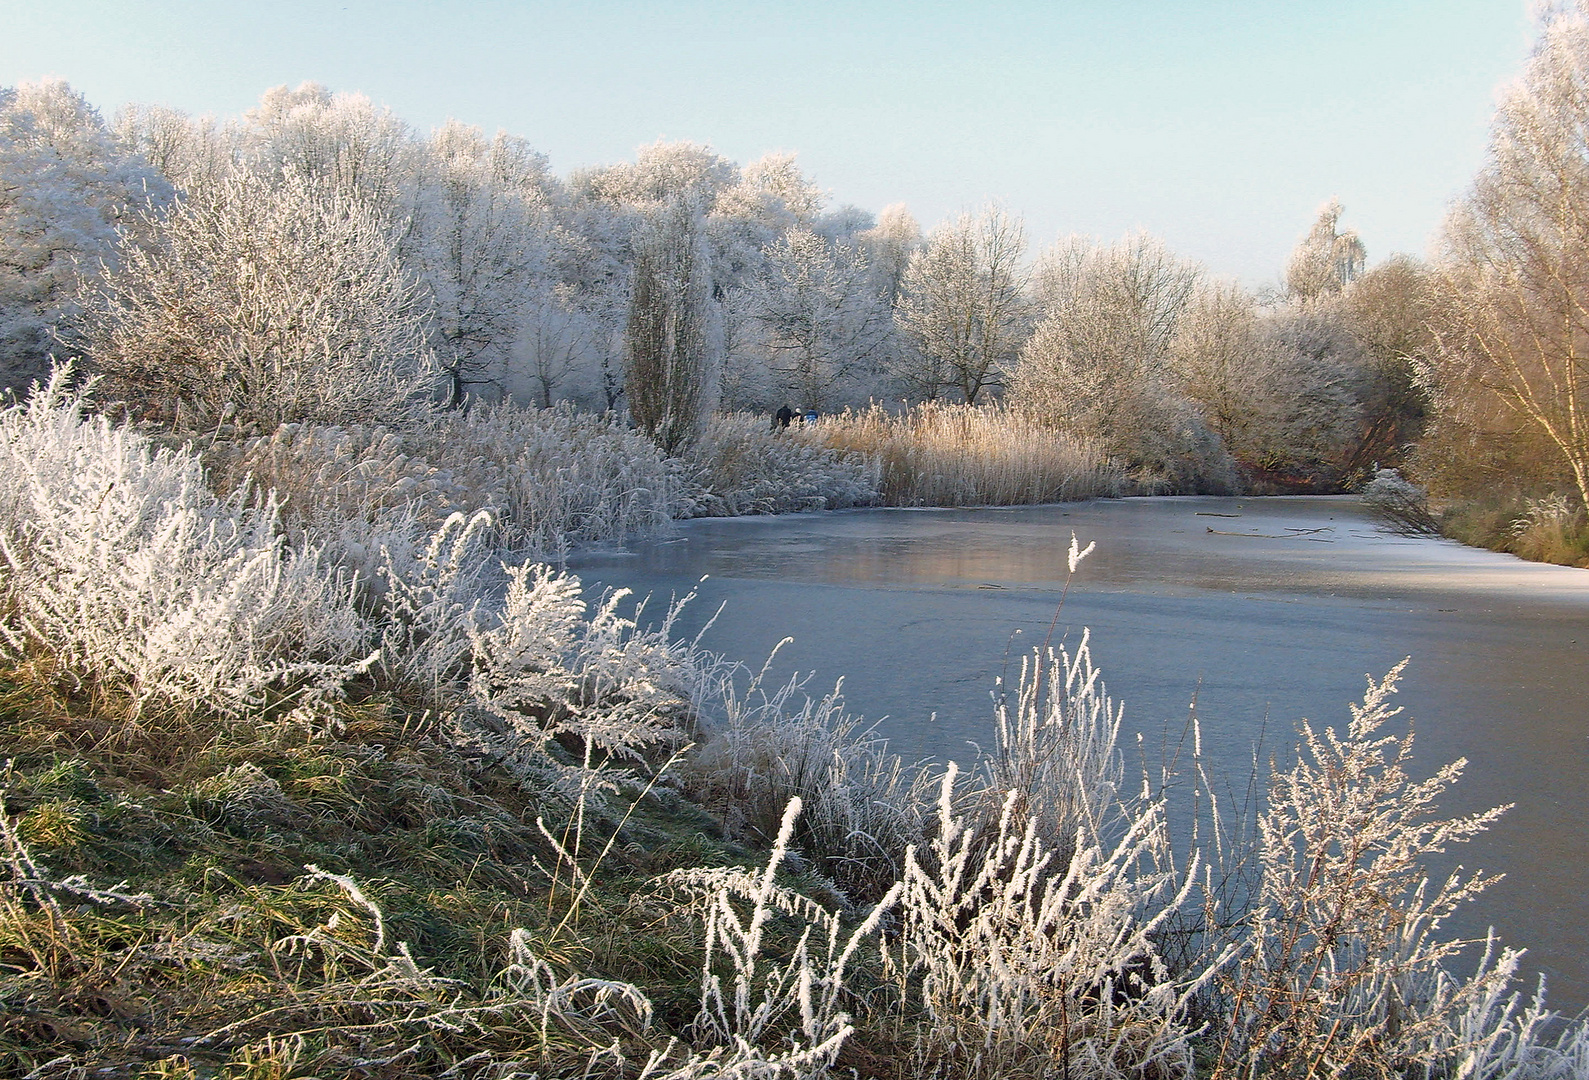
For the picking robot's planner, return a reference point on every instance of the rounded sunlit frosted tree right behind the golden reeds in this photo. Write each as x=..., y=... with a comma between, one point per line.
x=964, y=307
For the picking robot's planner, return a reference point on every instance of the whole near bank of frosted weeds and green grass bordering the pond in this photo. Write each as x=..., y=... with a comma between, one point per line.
x=276, y=812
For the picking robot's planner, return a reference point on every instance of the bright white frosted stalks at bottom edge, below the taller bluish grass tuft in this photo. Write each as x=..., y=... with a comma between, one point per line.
x=1024, y=958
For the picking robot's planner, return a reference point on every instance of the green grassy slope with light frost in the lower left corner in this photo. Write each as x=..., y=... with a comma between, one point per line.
x=241, y=963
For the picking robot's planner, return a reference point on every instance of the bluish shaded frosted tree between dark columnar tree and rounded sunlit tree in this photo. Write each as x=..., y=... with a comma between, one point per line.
x=819, y=317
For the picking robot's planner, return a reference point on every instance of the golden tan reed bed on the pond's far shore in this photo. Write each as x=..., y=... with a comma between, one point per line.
x=964, y=457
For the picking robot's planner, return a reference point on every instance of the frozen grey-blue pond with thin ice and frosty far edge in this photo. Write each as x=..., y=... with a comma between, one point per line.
x=1267, y=611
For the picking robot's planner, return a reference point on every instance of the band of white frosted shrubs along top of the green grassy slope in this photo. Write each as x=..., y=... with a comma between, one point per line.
x=126, y=571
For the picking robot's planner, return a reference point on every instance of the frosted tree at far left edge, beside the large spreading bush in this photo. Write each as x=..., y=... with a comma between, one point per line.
x=66, y=188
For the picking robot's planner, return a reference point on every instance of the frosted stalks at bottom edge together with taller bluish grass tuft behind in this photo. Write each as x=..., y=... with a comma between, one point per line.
x=1030, y=917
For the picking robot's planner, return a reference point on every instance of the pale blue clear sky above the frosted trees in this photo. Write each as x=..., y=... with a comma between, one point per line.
x=1220, y=126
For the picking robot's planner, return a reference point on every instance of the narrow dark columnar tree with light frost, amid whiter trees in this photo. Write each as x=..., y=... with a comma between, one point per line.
x=667, y=337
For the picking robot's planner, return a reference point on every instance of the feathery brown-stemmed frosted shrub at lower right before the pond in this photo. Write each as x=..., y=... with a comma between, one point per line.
x=1343, y=965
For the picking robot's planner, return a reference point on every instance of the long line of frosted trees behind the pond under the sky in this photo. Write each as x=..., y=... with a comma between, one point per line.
x=320, y=261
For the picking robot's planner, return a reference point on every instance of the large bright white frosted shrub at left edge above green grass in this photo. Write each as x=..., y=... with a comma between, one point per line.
x=125, y=568
